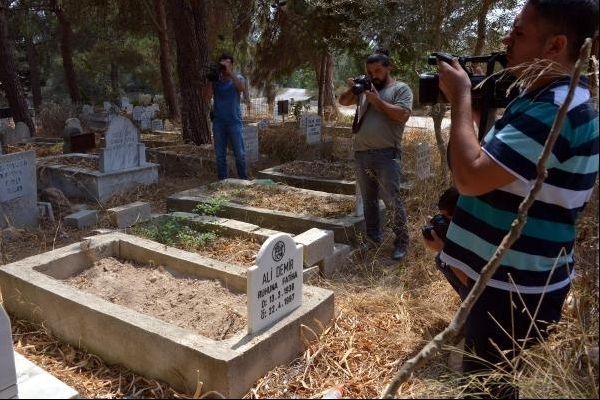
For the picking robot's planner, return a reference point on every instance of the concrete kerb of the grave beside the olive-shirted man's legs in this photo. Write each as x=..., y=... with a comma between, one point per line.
x=345, y=228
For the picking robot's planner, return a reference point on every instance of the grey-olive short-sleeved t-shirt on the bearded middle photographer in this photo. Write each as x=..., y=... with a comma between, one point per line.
x=377, y=130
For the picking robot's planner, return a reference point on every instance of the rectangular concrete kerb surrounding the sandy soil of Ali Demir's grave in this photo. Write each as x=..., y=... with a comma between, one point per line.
x=32, y=290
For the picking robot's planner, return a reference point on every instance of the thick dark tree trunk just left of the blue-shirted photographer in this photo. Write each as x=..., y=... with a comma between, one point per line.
x=189, y=21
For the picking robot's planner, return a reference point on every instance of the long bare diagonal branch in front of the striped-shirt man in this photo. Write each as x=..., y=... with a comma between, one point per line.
x=513, y=234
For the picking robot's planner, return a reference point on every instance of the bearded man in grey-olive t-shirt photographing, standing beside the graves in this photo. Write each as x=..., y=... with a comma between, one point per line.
x=383, y=111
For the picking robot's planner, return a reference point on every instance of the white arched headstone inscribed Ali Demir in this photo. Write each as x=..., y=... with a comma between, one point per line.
x=274, y=287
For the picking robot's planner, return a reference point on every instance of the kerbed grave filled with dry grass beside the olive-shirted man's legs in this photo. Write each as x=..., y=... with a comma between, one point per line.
x=278, y=207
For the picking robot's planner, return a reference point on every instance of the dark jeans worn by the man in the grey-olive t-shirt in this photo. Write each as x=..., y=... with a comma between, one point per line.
x=378, y=175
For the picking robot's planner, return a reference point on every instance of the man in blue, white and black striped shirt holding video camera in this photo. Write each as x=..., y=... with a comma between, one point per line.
x=495, y=176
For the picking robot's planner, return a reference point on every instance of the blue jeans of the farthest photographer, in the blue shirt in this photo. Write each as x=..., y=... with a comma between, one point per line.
x=229, y=133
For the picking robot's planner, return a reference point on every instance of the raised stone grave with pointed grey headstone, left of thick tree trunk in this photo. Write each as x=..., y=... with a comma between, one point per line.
x=118, y=167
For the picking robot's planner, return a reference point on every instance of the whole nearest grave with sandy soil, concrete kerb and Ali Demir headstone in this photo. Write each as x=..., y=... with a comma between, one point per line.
x=86, y=295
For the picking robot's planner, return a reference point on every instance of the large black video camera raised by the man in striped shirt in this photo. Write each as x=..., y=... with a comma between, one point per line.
x=493, y=93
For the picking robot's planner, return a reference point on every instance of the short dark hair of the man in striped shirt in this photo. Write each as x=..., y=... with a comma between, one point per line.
x=577, y=19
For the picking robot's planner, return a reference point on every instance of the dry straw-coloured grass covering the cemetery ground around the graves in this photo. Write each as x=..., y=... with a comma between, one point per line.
x=384, y=313
